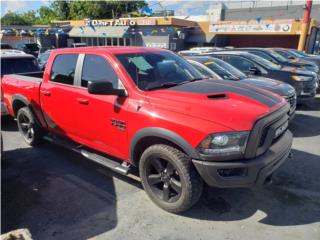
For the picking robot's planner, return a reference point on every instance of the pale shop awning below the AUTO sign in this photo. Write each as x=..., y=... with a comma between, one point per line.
x=105, y=31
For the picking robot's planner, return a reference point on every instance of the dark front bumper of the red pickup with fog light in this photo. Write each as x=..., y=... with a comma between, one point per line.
x=248, y=173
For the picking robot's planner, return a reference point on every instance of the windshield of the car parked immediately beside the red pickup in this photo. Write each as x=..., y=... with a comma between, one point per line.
x=224, y=70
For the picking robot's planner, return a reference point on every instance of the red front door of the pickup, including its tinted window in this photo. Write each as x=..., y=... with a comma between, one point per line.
x=102, y=119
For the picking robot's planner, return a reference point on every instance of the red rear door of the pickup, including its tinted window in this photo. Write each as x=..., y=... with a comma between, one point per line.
x=58, y=96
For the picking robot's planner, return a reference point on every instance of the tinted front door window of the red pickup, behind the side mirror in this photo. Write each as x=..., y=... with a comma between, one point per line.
x=97, y=69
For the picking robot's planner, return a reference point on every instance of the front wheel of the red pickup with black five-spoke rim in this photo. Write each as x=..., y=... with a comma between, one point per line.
x=169, y=178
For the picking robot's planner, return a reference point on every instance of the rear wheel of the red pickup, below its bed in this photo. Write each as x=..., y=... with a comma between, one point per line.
x=28, y=127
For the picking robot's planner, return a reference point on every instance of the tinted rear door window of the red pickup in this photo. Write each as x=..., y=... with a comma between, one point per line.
x=63, y=69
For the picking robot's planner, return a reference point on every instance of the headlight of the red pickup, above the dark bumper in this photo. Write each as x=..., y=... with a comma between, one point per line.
x=224, y=144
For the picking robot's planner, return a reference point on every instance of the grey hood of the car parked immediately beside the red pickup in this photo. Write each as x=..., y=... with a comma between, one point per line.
x=278, y=87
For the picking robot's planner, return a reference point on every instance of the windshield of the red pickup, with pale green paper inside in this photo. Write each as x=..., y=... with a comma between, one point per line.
x=152, y=70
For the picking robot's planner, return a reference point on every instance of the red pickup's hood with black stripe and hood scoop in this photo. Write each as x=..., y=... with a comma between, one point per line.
x=231, y=104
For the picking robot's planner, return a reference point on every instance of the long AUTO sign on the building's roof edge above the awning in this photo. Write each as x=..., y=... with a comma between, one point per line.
x=120, y=22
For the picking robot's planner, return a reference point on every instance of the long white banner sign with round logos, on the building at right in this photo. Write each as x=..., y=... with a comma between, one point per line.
x=250, y=28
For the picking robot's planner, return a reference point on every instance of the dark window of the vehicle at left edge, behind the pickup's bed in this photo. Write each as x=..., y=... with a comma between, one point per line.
x=18, y=65
